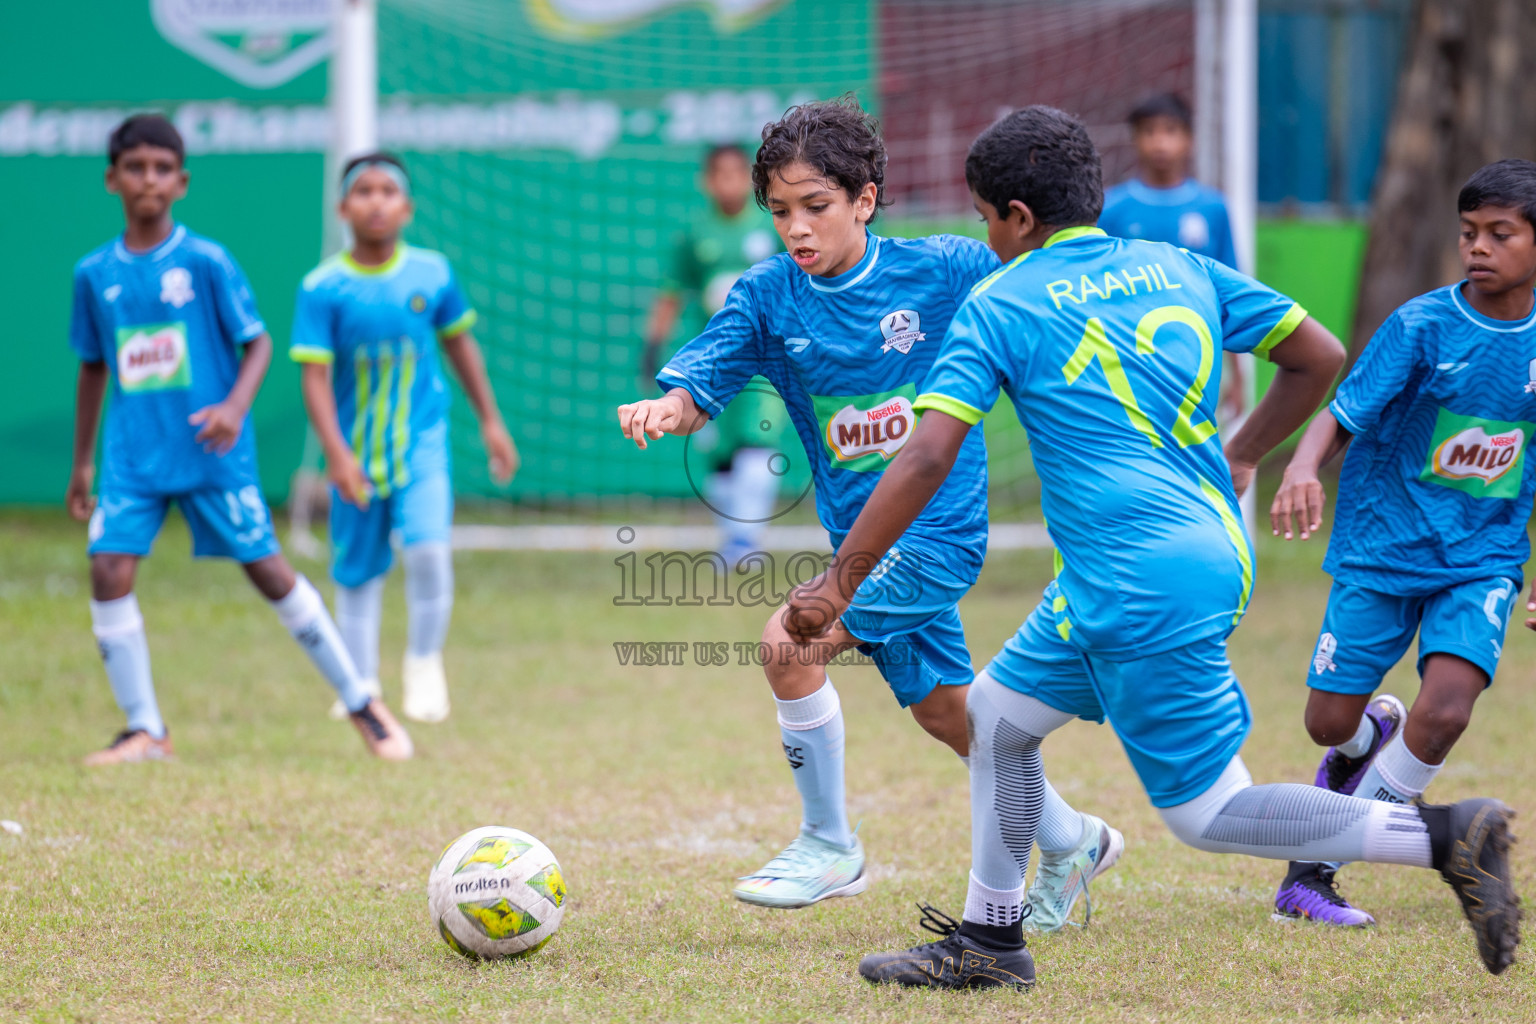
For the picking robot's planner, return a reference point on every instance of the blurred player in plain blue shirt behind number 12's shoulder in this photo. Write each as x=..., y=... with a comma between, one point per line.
x=1165, y=203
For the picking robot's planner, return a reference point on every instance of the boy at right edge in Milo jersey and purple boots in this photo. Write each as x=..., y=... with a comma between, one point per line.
x=1434, y=506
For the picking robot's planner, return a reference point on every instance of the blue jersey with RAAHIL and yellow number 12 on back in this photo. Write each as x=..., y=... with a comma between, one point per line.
x=1110, y=352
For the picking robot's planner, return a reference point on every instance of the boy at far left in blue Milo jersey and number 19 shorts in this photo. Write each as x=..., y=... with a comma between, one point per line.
x=168, y=320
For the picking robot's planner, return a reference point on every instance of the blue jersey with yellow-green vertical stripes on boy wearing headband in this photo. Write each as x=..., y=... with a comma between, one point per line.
x=379, y=328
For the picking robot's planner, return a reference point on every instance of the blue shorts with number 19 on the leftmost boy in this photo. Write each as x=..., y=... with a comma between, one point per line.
x=233, y=524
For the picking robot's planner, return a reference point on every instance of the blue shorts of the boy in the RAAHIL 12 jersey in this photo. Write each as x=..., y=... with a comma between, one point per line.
x=1180, y=715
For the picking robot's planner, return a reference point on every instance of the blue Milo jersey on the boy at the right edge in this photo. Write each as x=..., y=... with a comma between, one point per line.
x=1437, y=489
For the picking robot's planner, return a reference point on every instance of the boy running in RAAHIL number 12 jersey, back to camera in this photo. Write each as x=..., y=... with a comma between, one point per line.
x=1108, y=351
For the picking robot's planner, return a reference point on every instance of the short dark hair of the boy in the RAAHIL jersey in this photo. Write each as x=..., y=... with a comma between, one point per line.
x=1044, y=159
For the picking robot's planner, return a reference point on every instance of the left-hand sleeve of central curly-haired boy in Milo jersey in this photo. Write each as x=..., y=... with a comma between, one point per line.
x=720, y=363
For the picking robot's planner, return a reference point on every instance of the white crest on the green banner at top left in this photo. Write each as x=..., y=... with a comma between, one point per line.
x=259, y=44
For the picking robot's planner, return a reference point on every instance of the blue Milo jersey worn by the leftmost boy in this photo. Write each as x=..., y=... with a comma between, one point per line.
x=171, y=323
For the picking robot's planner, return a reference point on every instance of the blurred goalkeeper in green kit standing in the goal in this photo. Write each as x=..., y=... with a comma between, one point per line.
x=717, y=249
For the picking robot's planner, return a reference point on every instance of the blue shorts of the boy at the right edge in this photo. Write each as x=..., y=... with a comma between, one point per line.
x=1365, y=632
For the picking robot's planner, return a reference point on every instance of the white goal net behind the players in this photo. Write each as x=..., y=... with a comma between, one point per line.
x=555, y=150
